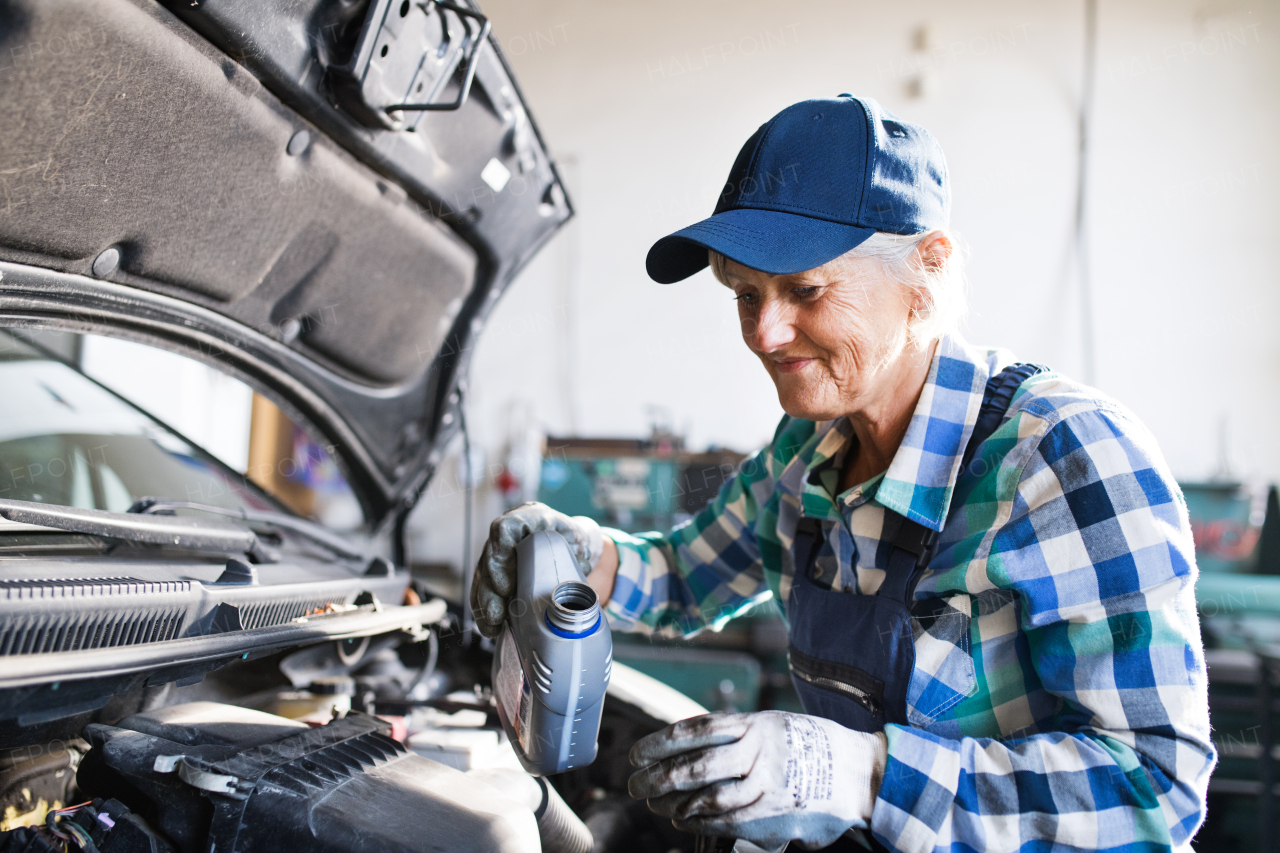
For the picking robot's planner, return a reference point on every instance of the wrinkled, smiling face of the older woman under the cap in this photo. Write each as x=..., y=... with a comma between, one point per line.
x=833, y=339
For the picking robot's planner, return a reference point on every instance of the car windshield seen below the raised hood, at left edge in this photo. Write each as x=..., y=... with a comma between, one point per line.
x=66, y=440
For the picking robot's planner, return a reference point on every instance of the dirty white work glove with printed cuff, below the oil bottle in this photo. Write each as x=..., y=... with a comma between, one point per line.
x=767, y=778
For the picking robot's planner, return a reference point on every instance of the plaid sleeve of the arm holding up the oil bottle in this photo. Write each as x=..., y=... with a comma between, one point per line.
x=710, y=569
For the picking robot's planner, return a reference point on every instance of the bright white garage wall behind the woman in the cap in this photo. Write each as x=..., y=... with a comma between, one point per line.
x=648, y=103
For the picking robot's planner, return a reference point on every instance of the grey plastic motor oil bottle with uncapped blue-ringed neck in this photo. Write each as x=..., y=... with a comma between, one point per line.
x=554, y=660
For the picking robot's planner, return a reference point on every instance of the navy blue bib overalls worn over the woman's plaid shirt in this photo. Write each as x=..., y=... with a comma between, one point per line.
x=852, y=656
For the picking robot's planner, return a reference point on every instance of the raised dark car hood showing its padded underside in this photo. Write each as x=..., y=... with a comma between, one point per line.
x=225, y=180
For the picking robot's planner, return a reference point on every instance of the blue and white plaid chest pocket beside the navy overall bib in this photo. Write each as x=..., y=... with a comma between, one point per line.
x=944, y=673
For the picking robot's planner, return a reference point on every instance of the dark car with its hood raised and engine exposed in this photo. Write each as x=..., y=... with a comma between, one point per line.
x=323, y=199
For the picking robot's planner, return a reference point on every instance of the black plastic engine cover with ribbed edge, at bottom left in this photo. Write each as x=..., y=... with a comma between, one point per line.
x=221, y=778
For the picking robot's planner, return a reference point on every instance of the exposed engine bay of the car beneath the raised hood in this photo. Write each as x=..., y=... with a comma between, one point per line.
x=383, y=743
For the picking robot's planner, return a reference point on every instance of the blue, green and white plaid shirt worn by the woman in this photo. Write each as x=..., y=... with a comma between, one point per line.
x=1060, y=699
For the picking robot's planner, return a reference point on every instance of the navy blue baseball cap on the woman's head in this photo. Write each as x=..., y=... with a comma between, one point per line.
x=816, y=181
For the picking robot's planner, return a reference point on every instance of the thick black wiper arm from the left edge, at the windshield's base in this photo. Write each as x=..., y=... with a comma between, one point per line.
x=191, y=535
